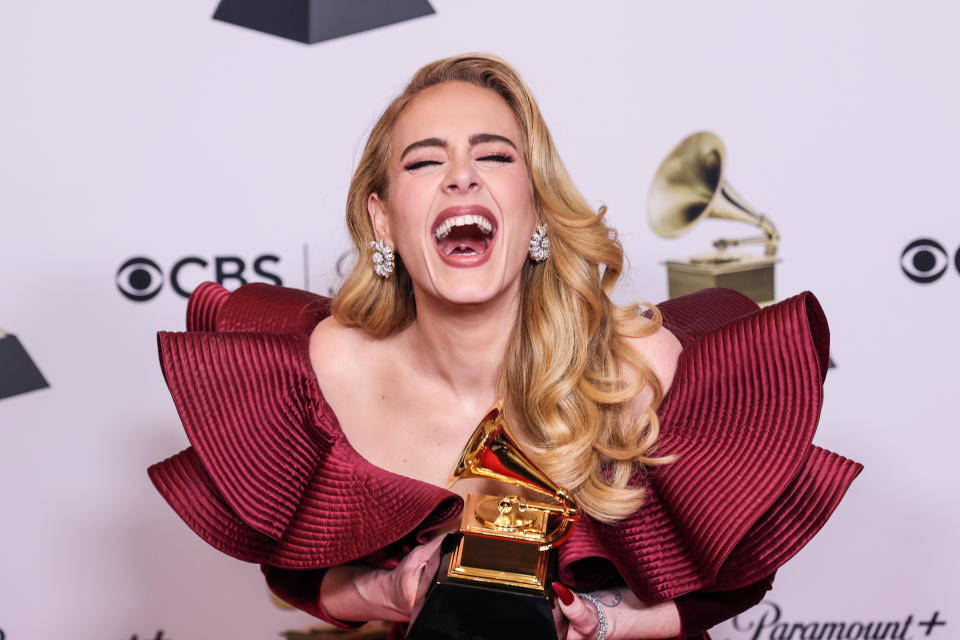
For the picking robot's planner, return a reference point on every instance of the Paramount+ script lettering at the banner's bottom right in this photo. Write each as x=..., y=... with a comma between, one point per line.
x=766, y=622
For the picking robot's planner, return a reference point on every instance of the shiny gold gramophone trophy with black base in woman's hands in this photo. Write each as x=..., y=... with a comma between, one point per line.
x=493, y=576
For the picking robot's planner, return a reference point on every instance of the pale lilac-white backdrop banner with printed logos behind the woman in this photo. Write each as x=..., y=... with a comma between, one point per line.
x=147, y=147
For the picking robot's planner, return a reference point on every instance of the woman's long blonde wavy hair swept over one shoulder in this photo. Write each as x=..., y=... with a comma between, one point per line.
x=562, y=377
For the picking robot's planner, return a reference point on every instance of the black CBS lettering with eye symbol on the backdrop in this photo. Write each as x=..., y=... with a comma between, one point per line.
x=140, y=279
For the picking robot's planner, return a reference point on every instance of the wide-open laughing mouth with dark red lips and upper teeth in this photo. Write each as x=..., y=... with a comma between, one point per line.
x=463, y=235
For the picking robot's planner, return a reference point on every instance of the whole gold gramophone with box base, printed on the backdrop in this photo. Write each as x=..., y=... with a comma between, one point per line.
x=690, y=185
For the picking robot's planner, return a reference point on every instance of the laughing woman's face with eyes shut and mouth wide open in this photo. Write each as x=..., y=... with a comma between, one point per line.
x=460, y=208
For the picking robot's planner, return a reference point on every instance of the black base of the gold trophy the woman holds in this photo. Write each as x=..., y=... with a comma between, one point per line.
x=455, y=610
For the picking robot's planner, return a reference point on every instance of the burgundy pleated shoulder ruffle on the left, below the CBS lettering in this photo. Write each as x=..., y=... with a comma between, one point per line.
x=269, y=476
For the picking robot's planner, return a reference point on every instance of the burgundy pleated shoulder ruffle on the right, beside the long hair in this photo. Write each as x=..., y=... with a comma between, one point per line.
x=748, y=489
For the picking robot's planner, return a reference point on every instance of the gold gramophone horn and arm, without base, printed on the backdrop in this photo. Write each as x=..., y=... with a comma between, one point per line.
x=690, y=185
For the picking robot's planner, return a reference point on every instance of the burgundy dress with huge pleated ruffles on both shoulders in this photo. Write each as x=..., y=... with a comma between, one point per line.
x=270, y=477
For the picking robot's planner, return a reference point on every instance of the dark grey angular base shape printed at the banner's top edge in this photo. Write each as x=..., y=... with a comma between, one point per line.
x=313, y=21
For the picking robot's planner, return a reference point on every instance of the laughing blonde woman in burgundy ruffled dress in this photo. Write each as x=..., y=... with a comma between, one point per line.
x=485, y=276
